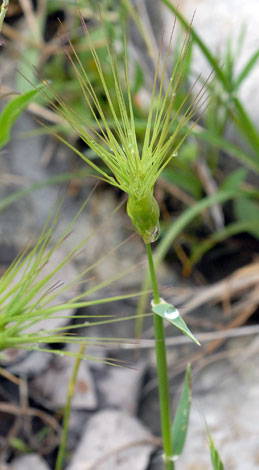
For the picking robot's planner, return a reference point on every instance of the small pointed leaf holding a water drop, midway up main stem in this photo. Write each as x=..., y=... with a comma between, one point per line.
x=171, y=314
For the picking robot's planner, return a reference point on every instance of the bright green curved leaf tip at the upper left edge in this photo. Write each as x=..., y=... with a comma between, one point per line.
x=11, y=112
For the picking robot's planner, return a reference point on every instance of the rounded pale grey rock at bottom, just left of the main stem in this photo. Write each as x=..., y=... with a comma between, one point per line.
x=113, y=440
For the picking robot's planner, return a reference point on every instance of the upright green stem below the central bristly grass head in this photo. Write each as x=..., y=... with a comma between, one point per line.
x=161, y=370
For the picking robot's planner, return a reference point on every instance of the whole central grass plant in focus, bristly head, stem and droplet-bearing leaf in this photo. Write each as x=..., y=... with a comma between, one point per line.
x=133, y=167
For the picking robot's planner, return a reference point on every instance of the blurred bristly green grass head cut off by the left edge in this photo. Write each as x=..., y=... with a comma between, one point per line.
x=27, y=297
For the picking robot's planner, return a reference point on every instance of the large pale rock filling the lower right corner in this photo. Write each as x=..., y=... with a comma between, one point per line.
x=231, y=412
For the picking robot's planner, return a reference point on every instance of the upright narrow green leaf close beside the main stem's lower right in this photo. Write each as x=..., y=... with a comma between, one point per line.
x=181, y=419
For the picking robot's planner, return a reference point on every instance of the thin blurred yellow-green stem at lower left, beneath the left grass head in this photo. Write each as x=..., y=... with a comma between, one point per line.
x=70, y=393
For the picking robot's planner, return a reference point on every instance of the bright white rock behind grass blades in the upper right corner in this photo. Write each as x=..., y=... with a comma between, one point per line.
x=218, y=22
